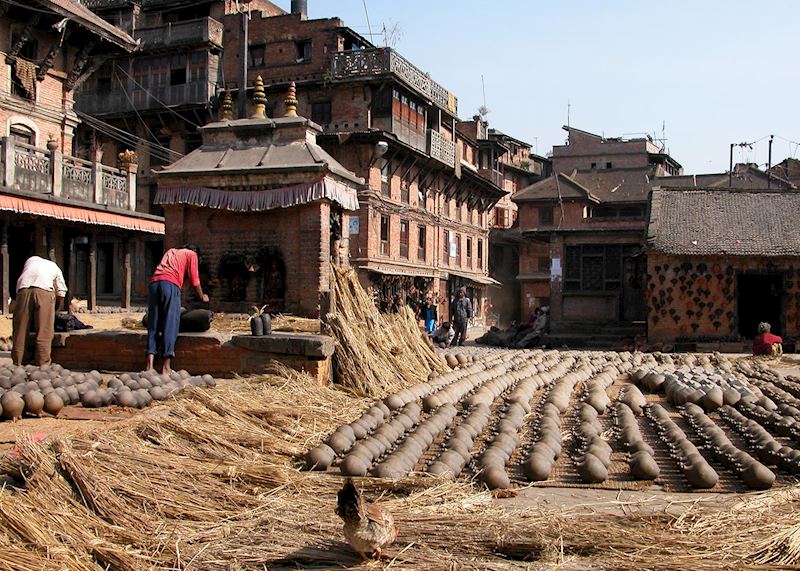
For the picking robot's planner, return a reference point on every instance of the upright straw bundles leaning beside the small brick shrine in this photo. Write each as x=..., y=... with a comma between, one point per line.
x=376, y=354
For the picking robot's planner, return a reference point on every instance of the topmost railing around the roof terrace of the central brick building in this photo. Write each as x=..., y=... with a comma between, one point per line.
x=379, y=61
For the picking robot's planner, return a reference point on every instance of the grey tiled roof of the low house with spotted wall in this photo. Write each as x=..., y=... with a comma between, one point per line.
x=724, y=222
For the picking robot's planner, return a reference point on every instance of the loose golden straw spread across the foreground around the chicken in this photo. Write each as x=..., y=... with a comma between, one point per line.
x=211, y=483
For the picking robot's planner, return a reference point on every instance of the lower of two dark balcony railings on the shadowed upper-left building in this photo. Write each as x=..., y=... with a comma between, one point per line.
x=116, y=101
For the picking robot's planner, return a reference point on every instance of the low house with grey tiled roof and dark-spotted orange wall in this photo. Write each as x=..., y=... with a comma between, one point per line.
x=719, y=262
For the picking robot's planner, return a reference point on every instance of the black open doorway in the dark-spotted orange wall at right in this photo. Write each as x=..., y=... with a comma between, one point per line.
x=759, y=298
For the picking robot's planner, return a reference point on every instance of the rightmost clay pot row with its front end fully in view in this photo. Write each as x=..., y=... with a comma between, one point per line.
x=752, y=472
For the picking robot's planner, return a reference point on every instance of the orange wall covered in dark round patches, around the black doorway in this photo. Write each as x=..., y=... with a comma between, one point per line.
x=696, y=298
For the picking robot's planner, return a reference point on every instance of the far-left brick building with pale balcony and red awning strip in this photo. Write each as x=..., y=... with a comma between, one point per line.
x=79, y=213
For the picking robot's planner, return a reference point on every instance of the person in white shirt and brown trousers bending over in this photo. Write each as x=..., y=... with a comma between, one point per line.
x=40, y=292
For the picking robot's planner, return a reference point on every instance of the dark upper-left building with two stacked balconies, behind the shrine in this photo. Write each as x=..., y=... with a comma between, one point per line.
x=158, y=97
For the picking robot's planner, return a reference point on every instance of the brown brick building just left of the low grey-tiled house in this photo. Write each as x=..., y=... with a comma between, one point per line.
x=584, y=227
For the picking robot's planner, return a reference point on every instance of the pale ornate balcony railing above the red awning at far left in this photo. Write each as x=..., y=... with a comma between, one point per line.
x=29, y=169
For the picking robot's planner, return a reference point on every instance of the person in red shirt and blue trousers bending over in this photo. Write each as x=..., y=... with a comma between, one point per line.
x=164, y=301
